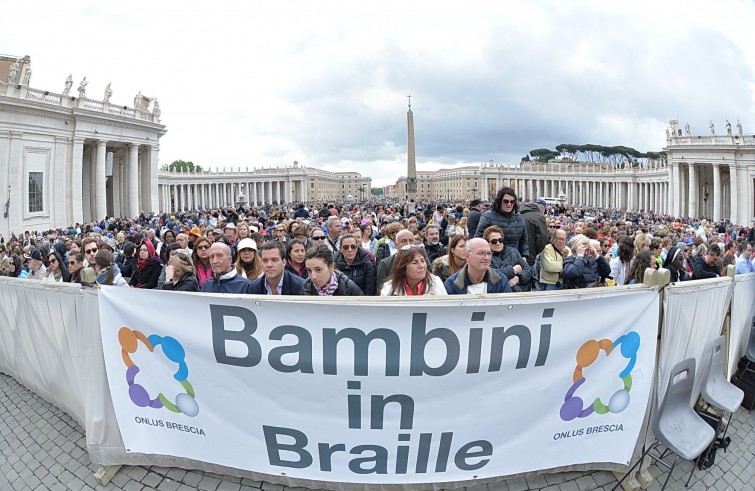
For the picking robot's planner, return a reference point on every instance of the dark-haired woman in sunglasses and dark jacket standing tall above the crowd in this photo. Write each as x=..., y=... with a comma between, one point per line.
x=505, y=213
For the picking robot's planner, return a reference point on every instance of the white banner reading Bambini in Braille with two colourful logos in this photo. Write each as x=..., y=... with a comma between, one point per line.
x=381, y=390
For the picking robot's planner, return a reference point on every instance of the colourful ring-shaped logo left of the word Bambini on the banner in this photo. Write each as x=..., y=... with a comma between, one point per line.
x=185, y=402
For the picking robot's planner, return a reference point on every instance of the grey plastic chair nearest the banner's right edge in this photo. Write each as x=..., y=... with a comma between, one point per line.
x=676, y=425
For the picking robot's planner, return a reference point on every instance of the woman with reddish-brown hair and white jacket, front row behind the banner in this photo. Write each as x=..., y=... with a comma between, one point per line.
x=410, y=275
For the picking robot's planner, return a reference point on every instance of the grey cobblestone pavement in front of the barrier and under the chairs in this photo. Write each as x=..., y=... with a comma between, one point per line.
x=42, y=448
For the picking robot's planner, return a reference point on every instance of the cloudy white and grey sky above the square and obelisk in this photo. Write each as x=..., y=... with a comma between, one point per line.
x=325, y=83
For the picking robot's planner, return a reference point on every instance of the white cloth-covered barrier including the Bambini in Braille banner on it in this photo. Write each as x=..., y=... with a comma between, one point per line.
x=504, y=422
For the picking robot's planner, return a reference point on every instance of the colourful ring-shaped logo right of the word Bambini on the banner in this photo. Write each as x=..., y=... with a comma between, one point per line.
x=573, y=406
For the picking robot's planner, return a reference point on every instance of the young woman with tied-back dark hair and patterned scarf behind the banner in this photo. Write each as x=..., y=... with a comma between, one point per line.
x=323, y=279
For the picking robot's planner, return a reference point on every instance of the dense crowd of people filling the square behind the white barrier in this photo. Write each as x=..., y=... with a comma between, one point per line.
x=370, y=248
